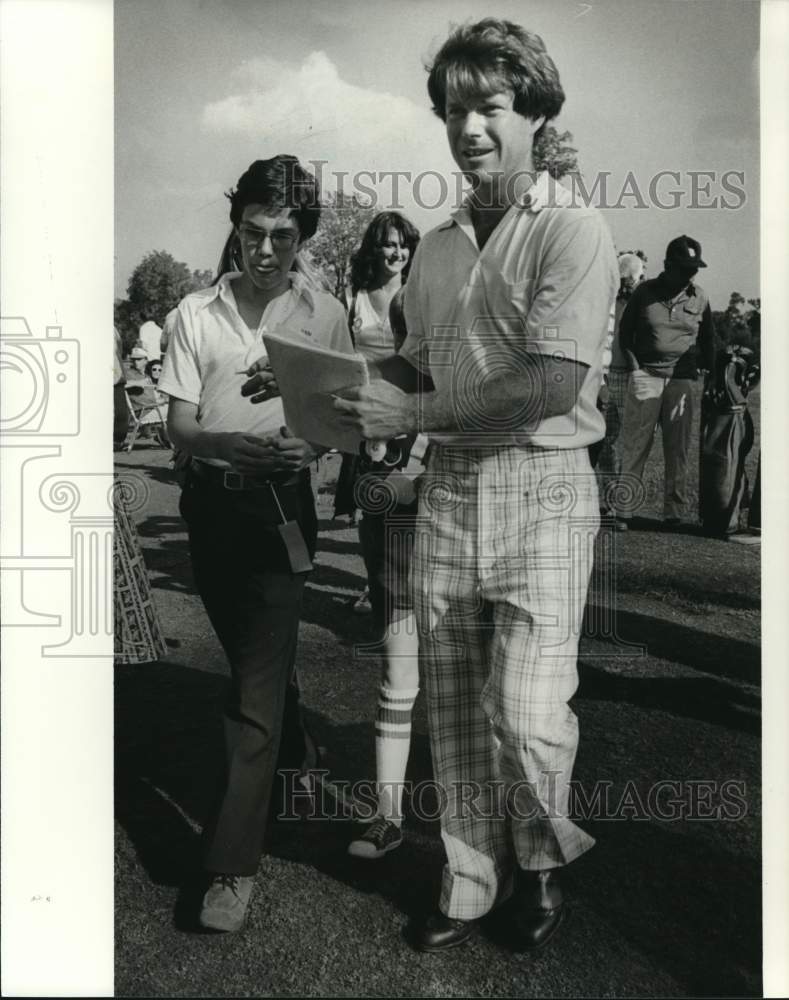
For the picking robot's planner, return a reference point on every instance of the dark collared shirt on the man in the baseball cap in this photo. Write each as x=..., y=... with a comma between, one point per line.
x=670, y=337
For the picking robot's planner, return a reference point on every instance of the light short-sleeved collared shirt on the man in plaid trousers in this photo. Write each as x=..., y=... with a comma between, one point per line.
x=544, y=283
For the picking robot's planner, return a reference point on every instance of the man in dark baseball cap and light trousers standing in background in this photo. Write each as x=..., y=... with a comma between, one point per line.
x=667, y=335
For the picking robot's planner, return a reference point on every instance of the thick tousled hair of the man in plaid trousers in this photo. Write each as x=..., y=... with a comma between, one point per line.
x=496, y=54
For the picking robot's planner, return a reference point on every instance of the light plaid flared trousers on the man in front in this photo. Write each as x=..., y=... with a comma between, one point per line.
x=503, y=555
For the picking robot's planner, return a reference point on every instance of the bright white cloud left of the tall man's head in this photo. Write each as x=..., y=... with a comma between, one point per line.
x=309, y=110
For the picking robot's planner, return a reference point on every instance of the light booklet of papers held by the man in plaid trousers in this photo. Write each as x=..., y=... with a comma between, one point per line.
x=307, y=377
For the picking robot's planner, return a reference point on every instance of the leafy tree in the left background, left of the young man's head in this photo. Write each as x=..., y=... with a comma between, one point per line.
x=157, y=285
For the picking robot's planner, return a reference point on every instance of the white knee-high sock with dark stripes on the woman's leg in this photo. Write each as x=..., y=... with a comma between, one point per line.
x=392, y=744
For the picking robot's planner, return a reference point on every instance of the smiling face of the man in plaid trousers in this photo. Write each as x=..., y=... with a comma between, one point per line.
x=488, y=139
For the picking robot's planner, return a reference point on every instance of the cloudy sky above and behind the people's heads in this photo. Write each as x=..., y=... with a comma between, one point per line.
x=662, y=101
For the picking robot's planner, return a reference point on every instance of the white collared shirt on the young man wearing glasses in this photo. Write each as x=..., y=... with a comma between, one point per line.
x=211, y=344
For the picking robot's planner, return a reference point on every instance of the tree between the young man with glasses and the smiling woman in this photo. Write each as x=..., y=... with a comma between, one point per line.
x=344, y=219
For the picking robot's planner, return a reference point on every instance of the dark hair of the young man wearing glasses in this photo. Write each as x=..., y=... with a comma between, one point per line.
x=280, y=182
